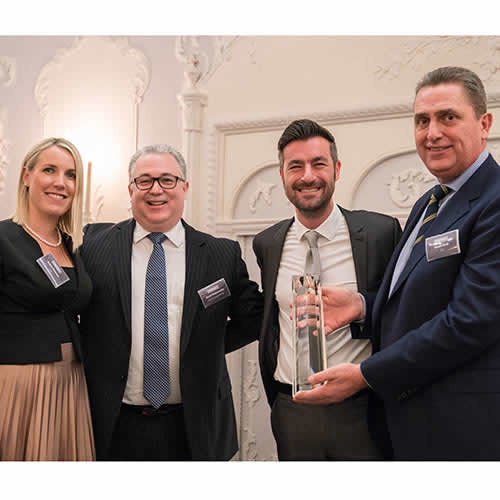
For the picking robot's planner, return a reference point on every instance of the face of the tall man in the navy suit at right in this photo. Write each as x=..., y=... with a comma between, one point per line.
x=448, y=134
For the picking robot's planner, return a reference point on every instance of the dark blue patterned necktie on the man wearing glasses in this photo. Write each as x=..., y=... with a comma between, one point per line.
x=156, y=365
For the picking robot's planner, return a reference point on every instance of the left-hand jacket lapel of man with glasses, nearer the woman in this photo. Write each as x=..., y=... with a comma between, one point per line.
x=121, y=249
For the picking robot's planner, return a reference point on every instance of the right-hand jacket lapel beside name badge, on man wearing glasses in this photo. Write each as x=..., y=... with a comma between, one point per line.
x=196, y=264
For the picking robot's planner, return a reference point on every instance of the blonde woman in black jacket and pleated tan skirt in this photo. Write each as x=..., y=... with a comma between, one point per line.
x=44, y=410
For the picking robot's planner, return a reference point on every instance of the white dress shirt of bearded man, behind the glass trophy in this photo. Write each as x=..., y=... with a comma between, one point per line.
x=337, y=268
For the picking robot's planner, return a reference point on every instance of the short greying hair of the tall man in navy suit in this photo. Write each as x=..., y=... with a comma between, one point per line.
x=472, y=84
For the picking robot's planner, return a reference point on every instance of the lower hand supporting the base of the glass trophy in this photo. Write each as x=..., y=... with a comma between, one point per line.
x=342, y=381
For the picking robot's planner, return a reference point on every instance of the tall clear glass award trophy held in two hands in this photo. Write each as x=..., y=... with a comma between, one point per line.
x=308, y=330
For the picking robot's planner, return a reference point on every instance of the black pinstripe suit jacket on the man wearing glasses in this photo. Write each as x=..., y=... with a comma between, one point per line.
x=206, y=334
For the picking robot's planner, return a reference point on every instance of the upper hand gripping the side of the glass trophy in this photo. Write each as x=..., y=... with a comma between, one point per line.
x=341, y=307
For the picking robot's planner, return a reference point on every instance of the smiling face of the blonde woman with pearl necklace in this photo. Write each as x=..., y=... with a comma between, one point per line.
x=51, y=183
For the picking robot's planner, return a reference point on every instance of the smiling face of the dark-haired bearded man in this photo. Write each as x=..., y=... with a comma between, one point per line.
x=309, y=176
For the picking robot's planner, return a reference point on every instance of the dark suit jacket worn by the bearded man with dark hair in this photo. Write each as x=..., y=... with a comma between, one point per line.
x=373, y=238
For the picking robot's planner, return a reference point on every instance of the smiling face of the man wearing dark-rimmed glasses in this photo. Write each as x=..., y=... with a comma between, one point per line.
x=157, y=209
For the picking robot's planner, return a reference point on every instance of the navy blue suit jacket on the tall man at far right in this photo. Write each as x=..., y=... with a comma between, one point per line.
x=438, y=369
